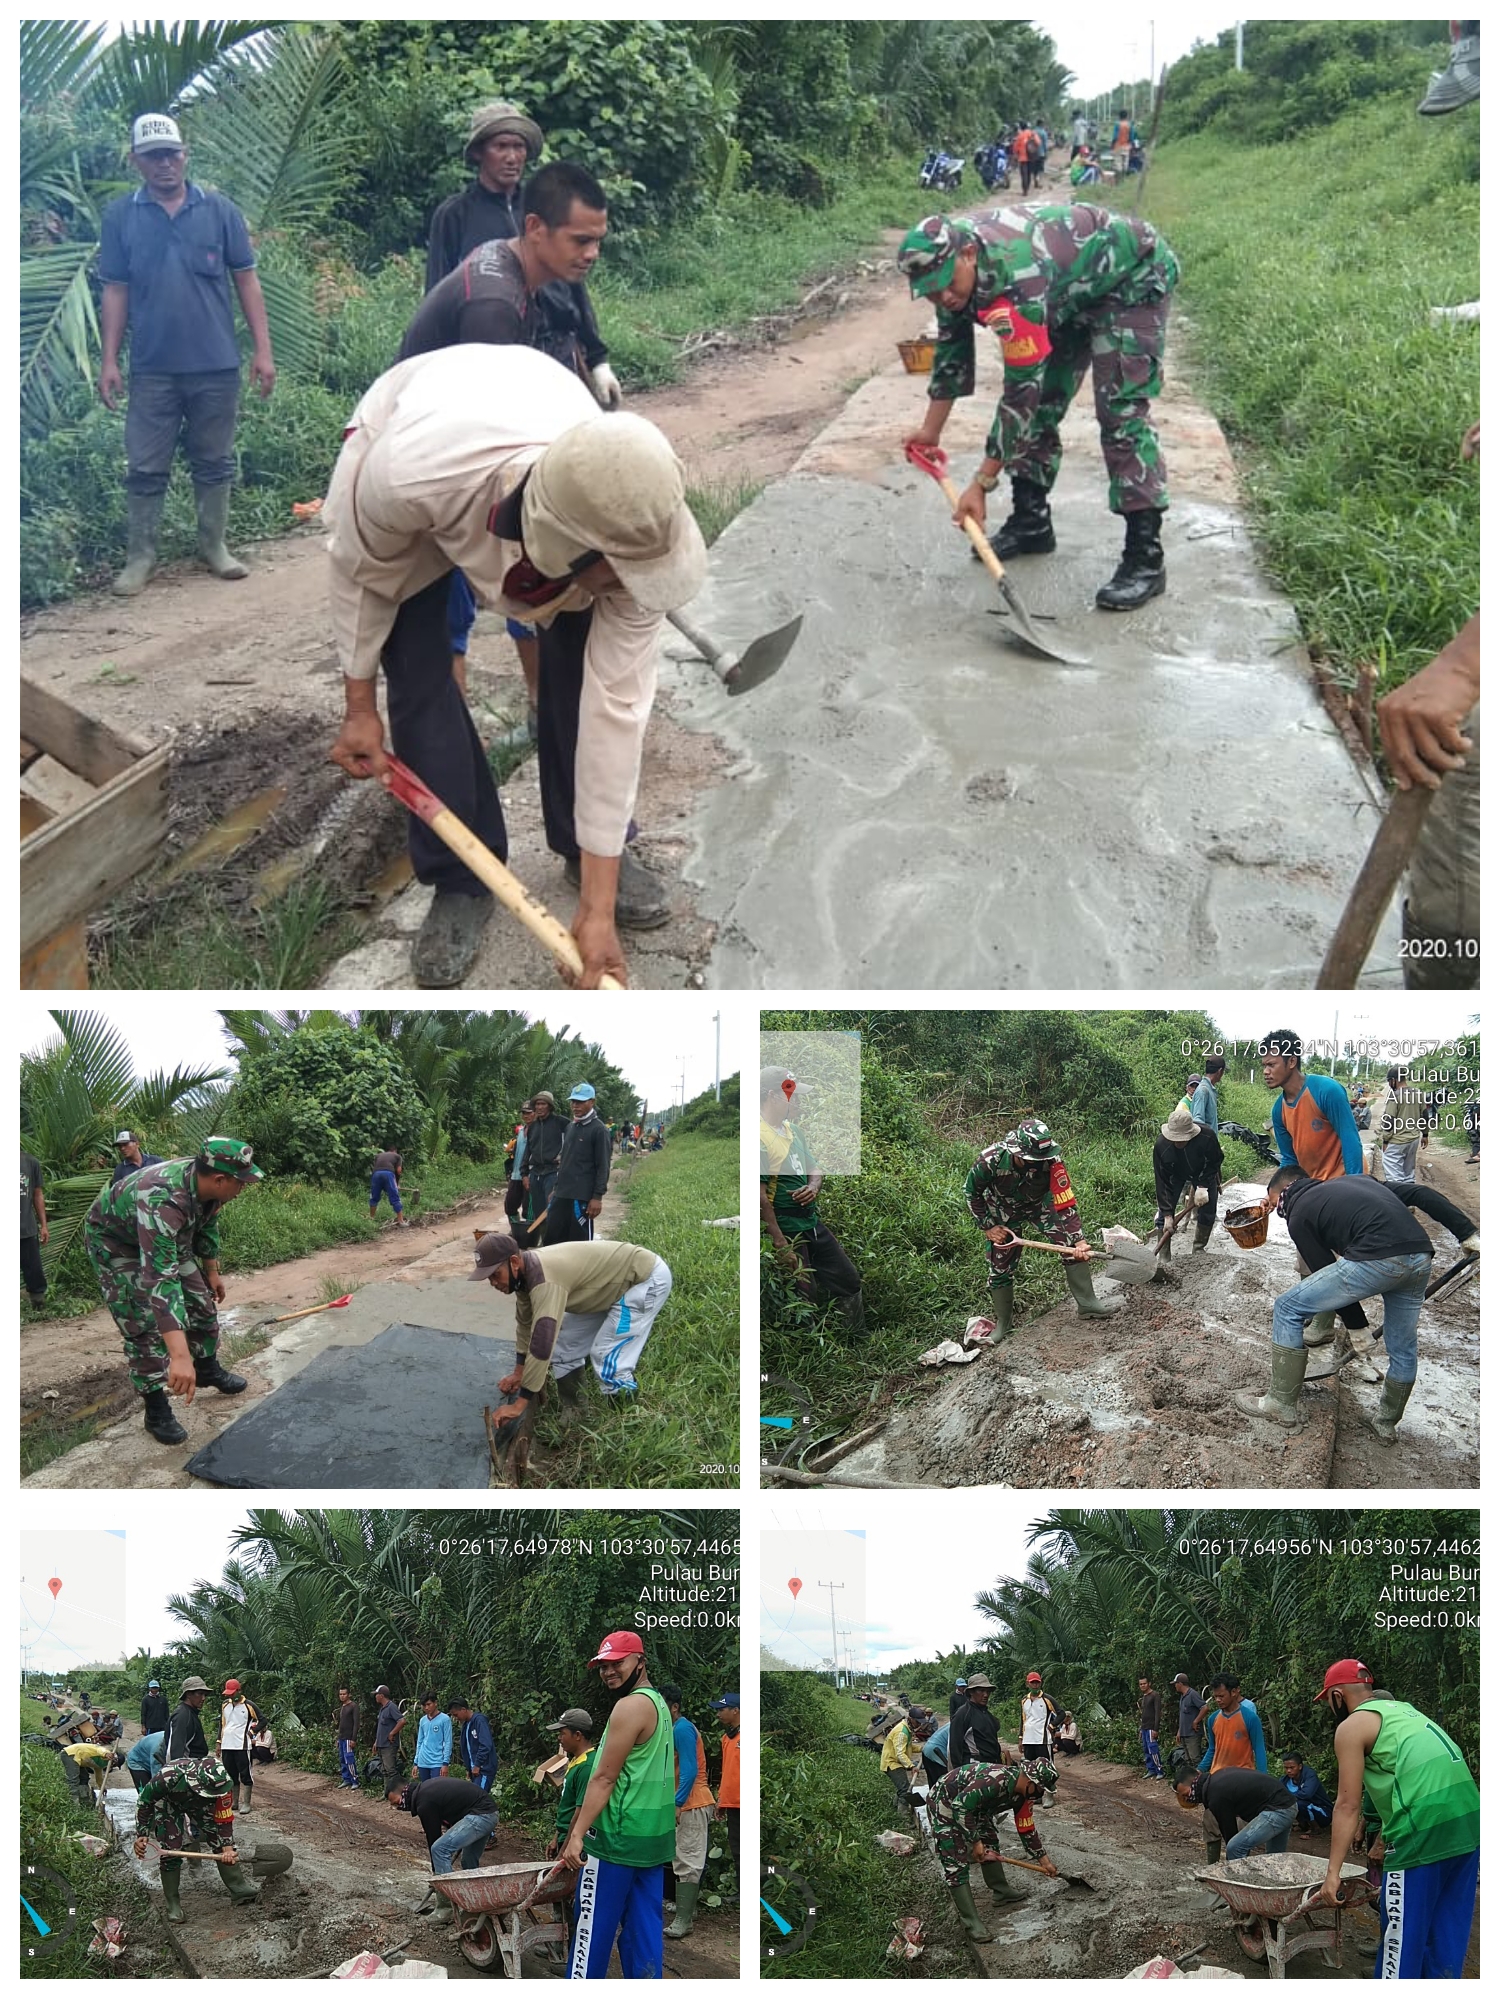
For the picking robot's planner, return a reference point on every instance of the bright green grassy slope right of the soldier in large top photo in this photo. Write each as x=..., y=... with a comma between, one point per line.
x=1309, y=277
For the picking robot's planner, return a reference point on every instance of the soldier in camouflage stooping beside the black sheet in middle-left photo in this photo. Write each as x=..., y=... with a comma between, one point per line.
x=153, y=1240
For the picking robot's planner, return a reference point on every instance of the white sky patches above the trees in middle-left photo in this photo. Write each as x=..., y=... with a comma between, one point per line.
x=647, y=1036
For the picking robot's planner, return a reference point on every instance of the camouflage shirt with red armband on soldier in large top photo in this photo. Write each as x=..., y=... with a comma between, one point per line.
x=1043, y=267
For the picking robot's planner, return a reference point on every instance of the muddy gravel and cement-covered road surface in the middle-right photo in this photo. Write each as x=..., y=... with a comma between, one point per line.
x=1145, y=1398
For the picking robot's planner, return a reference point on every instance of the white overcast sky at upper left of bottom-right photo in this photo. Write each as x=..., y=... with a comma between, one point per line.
x=915, y=1570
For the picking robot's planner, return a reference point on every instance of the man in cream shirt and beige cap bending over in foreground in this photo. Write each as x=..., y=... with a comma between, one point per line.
x=499, y=463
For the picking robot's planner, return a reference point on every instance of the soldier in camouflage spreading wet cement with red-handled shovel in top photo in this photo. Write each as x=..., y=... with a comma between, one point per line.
x=1065, y=287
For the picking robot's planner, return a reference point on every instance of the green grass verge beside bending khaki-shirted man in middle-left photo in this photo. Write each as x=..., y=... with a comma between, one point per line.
x=685, y=1424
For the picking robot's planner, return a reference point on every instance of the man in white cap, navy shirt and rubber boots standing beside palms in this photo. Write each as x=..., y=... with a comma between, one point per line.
x=167, y=257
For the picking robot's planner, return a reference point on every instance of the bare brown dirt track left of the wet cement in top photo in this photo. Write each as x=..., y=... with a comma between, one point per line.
x=243, y=677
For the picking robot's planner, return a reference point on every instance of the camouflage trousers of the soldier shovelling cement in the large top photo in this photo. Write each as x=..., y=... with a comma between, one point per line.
x=1125, y=347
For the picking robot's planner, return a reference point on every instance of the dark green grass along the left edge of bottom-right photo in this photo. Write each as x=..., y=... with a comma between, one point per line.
x=821, y=1808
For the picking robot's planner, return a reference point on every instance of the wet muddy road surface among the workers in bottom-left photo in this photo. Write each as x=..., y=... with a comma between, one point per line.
x=359, y=1872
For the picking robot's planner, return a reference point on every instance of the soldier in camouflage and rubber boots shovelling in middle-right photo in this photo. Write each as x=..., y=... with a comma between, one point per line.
x=1017, y=1188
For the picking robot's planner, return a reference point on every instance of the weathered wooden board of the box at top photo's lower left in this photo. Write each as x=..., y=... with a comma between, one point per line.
x=73, y=867
